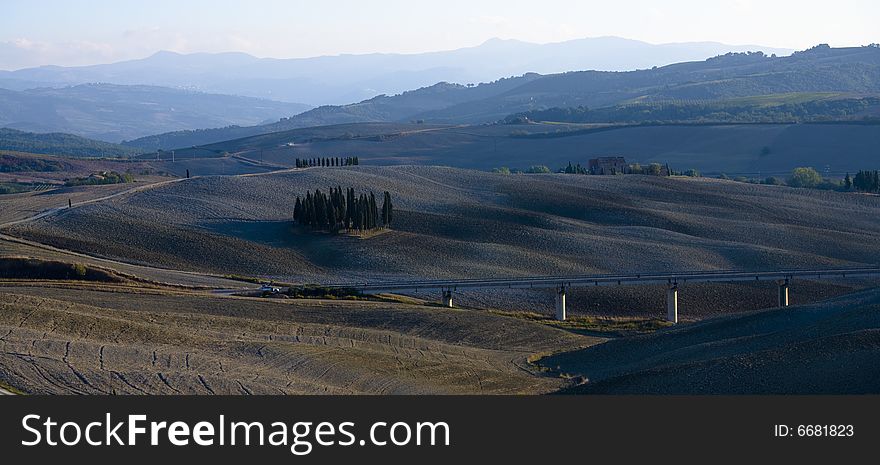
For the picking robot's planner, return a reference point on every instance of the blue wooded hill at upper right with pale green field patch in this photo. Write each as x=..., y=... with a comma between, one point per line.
x=820, y=69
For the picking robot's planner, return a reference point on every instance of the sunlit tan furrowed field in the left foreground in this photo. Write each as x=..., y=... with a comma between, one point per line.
x=104, y=339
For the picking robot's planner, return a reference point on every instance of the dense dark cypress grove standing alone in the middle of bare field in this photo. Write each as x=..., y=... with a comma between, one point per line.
x=338, y=211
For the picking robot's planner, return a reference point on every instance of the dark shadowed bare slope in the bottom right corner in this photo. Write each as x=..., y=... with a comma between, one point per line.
x=832, y=347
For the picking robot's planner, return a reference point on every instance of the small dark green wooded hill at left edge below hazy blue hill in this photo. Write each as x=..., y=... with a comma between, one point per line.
x=61, y=144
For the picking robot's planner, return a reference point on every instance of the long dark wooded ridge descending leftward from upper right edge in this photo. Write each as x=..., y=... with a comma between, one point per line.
x=819, y=70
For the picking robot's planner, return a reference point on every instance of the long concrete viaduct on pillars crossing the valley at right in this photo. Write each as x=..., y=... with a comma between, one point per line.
x=783, y=279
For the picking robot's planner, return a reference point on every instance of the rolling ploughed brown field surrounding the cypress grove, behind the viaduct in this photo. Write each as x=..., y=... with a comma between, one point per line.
x=459, y=223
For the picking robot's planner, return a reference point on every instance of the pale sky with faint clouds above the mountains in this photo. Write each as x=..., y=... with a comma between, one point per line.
x=68, y=33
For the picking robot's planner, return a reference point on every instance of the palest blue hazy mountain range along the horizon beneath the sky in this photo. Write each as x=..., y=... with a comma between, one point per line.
x=345, y=79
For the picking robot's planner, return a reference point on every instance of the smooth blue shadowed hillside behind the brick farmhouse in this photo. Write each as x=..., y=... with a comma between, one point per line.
x=751, y=149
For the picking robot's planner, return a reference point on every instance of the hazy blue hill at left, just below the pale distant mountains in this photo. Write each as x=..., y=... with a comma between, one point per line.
x=114, y=113
